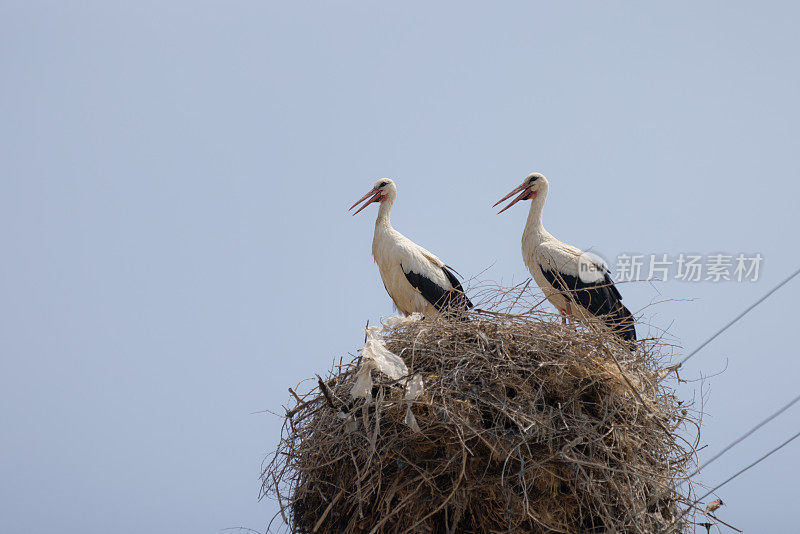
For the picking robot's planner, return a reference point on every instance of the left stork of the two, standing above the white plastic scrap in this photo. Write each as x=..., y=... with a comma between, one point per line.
x=416, y=280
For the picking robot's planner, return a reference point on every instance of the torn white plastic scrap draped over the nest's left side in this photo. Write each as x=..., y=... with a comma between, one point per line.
x=375, y=355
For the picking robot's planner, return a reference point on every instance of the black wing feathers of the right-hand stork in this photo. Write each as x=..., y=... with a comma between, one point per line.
x=599, y=298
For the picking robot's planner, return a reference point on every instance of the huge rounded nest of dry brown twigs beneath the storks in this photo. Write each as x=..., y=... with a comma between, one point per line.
x=501, y=423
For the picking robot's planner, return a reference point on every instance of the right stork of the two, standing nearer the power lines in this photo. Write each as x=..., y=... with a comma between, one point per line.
x=574, y=282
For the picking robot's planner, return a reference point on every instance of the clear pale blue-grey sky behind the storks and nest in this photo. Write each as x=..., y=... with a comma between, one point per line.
x=177, y=250
